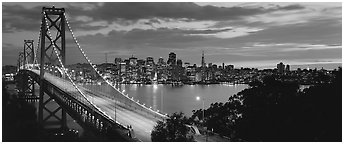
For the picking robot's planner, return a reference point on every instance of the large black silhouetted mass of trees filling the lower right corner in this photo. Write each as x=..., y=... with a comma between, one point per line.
x=278, y=111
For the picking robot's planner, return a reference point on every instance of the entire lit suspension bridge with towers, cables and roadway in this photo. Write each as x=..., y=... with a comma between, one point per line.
x=107, y=115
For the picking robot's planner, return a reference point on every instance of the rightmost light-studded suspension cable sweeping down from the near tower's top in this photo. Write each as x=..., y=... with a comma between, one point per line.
x=94, y=67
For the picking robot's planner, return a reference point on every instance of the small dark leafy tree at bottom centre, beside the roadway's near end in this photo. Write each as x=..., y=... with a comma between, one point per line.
x=172, y=129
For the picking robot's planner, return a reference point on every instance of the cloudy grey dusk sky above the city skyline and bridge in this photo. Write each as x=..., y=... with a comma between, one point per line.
x=243, y=34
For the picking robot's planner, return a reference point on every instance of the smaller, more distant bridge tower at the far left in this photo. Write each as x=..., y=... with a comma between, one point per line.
x=28, y=83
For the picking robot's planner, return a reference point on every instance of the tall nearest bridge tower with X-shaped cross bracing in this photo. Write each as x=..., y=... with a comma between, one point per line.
x=53, y=24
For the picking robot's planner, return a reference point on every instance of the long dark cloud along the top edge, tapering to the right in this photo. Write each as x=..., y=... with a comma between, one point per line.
x=132, y=11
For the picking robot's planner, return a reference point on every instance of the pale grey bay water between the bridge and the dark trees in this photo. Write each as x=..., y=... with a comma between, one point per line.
x=170, y=99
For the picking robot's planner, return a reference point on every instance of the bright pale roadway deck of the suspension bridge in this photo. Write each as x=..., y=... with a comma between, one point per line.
x=141, y=122
